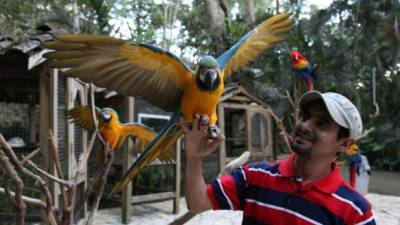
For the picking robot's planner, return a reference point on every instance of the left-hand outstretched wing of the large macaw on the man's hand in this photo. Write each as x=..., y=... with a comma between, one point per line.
x=129, y=68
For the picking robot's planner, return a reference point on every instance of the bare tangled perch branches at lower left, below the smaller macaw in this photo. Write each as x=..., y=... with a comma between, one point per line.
x=13, y=168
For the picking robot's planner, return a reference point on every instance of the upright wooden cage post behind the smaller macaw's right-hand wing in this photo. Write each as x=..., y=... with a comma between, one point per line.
x=127, y=116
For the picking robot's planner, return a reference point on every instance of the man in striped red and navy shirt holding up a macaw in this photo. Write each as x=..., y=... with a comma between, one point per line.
x=307, y=188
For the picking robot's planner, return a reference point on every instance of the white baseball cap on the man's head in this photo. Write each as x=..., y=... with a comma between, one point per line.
x=341, y=109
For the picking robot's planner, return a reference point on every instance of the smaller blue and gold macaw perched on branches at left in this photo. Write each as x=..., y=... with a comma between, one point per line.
x=113, y=132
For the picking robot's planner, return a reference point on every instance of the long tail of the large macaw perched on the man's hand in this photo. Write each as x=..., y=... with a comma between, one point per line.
x=163, y=141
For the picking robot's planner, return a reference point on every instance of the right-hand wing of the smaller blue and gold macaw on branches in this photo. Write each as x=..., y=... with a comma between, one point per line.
x=144, y=135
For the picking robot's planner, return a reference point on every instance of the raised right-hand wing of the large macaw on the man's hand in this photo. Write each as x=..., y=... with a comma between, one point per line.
x=261, y=38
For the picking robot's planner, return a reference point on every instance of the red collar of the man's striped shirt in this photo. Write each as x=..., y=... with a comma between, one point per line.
x=328, y=184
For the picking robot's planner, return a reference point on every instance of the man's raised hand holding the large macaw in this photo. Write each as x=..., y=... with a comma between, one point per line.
x=197, y=143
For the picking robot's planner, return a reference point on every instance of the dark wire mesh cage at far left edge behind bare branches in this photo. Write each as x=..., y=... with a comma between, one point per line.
x=19, y=122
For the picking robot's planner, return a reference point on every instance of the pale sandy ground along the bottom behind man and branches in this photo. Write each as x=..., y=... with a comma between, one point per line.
x=386, y=209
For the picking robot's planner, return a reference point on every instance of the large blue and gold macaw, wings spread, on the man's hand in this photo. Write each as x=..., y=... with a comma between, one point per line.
x=160, y=77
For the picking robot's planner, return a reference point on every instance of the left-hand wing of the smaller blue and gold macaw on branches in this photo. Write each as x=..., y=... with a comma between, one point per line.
x=82, y=115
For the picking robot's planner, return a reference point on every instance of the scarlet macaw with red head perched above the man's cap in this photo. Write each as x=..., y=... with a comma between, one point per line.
x=303, y=68
